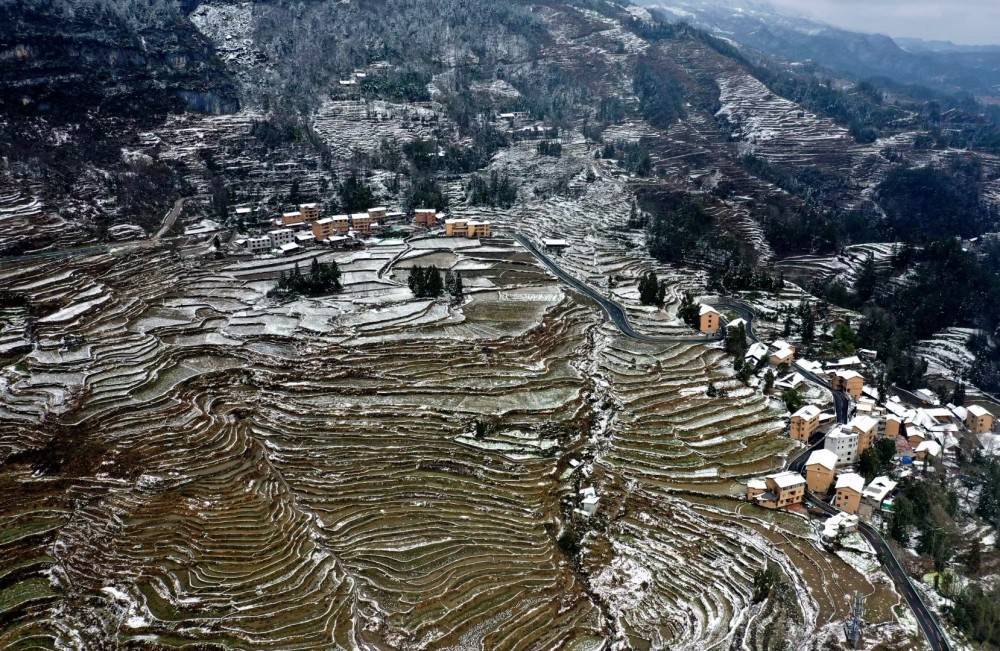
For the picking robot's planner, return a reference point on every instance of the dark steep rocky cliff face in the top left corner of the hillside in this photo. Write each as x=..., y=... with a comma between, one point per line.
x=62, y=66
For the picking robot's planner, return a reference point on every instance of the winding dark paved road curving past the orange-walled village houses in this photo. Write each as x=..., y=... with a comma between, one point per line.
x=928, y=623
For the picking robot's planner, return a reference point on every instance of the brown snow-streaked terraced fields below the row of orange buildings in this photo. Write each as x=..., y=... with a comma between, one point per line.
x=311, y=474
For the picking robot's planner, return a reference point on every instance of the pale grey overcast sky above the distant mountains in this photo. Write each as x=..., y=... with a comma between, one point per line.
x=961, y=21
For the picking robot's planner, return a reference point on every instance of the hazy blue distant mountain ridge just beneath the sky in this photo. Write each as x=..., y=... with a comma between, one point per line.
x=761, y=27
